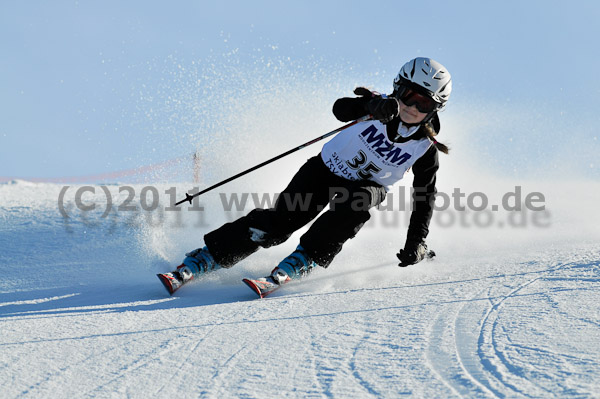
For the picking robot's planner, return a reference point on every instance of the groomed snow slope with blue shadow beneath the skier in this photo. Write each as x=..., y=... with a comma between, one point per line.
x=503, y=311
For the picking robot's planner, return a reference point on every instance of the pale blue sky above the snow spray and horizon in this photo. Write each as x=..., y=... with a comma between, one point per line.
x=92, y=87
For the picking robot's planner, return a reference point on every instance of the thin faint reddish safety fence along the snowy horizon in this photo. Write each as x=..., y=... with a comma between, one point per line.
x=113, y=176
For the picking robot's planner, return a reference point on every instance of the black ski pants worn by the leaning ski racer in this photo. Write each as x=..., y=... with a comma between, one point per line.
x=312, y=188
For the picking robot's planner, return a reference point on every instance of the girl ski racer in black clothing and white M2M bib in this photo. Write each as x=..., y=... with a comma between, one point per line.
x=352, y=174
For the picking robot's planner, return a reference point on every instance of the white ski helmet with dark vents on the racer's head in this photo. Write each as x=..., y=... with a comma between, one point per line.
x=430, y=75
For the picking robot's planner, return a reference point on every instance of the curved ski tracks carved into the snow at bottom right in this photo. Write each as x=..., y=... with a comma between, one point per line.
x=488, y=370
